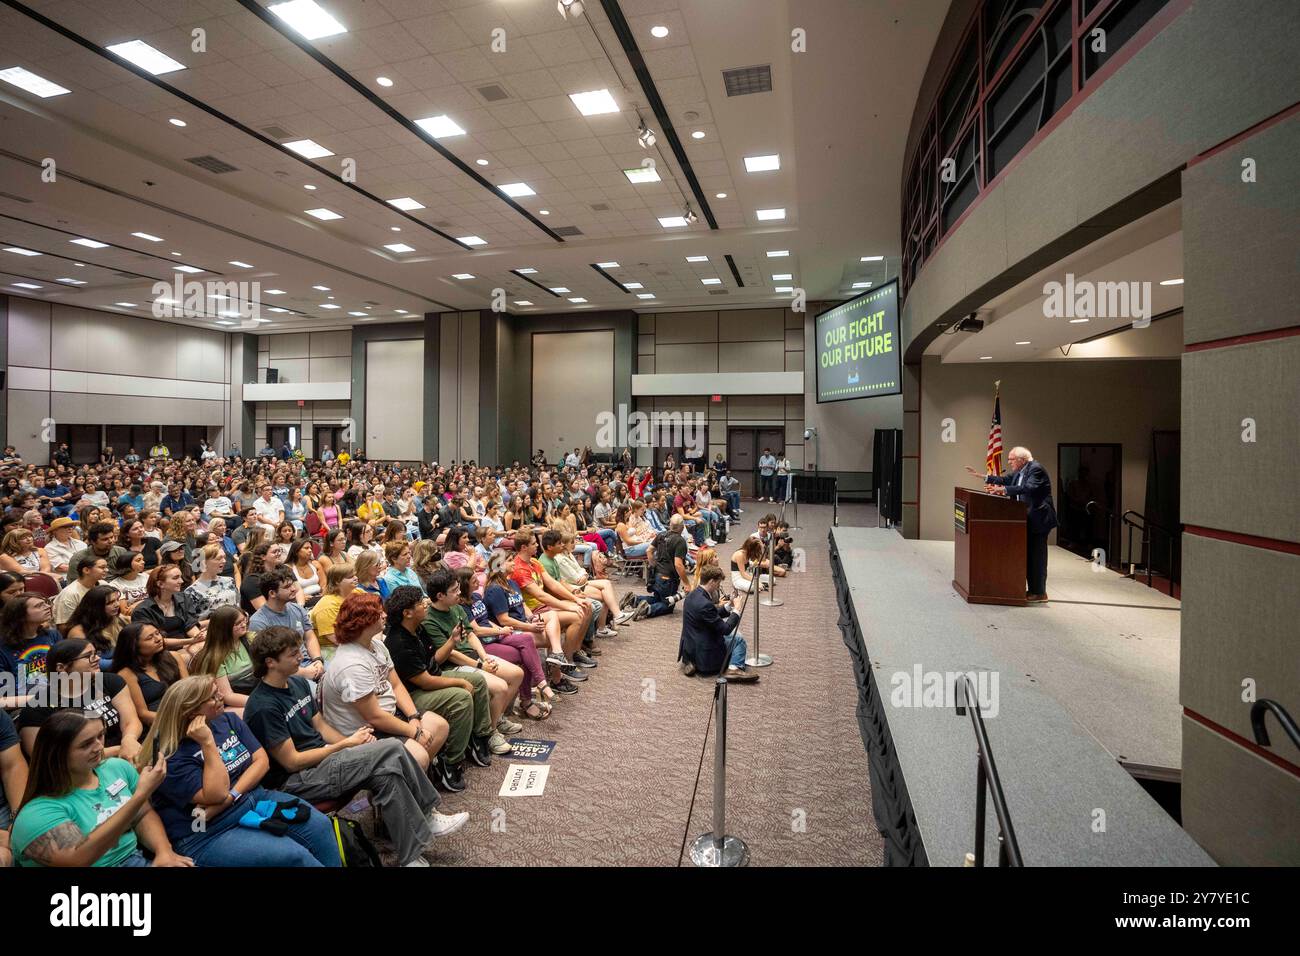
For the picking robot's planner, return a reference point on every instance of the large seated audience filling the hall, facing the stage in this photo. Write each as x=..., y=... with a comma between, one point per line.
x=236, y=641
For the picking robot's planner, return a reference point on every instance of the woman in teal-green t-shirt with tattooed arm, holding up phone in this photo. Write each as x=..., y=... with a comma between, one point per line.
x=85, y=811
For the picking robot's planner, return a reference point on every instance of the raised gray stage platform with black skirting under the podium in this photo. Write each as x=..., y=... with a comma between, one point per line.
x=1082, y=684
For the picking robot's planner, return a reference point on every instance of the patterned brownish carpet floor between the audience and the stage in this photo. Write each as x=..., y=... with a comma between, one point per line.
x=629, y=746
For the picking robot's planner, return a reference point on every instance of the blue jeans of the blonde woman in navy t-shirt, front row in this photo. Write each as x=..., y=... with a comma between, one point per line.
x=226, y=843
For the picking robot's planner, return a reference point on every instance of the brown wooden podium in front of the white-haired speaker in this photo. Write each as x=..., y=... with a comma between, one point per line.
x=990, y=544
